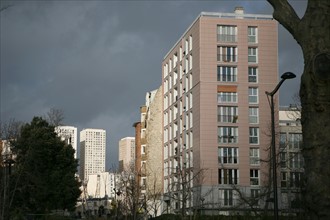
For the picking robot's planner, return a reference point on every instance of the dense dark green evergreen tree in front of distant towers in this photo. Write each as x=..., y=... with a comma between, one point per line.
x=43, y=178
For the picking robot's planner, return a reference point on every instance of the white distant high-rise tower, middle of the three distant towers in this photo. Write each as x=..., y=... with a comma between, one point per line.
x=92, y=152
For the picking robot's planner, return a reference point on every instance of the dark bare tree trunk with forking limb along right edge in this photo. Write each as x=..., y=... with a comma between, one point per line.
x=312, y=32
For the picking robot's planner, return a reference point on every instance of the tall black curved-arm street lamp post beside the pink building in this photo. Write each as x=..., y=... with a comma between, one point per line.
x=285, y=76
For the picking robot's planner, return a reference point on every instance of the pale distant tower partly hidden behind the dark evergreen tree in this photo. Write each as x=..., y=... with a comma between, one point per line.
x=69, y=135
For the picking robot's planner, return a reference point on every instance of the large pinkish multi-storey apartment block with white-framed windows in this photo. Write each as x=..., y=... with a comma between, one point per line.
x=215, y=112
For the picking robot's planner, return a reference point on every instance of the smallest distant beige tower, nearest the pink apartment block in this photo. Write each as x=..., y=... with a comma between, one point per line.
x=126, y=153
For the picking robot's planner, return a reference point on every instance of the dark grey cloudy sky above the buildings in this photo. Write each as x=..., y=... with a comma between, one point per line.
x=95, y=60
